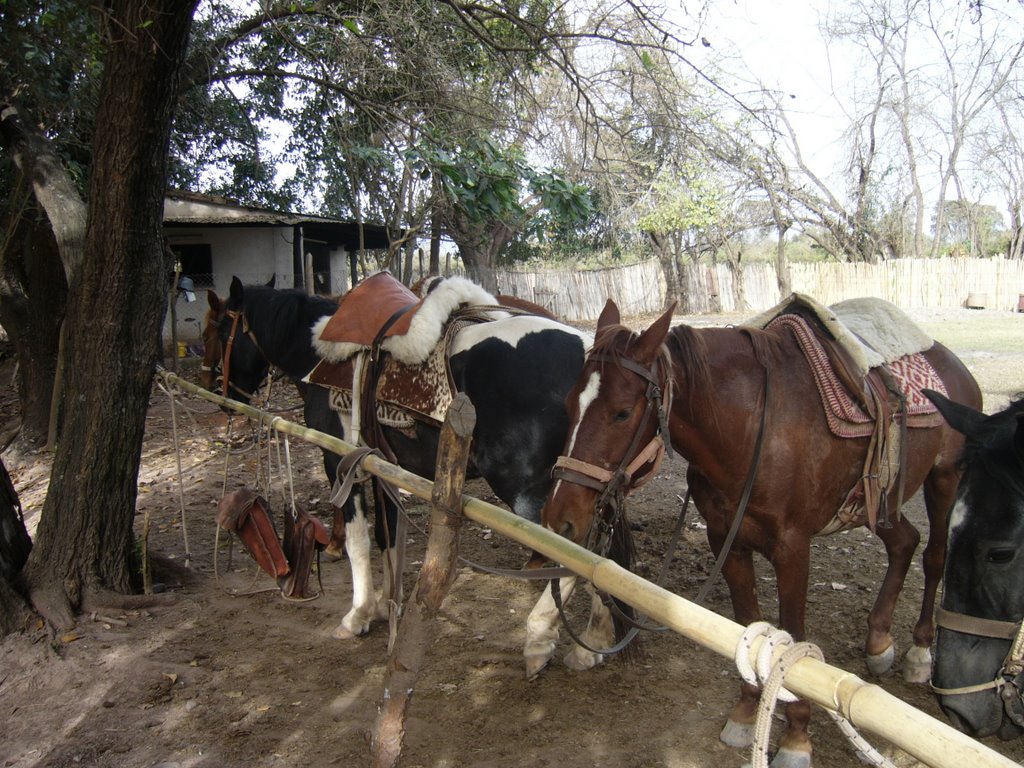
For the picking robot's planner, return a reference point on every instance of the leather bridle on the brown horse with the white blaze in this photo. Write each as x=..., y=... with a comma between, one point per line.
x=613, y=486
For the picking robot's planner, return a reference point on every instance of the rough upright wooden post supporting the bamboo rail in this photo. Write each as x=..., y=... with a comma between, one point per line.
x=437, y=576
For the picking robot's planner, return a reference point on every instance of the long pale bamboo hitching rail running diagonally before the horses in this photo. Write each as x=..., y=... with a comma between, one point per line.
x=867, y=706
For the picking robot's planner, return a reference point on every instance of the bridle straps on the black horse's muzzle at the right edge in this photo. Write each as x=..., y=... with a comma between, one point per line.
x=1009, y=682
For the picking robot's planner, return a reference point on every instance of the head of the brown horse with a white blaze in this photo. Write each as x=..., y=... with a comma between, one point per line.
x=617, y=413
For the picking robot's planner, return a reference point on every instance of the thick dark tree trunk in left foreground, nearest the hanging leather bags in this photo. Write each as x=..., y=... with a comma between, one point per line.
x=84, y=544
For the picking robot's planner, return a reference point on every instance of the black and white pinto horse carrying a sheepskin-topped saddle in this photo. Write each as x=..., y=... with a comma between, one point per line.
x=517, y=370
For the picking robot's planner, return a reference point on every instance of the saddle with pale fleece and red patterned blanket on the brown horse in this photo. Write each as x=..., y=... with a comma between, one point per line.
x=865, y=392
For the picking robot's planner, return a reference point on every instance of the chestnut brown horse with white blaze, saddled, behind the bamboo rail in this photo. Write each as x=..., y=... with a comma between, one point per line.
x=742, y=406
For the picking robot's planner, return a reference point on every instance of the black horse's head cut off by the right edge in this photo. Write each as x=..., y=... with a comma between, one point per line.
x=979, y=651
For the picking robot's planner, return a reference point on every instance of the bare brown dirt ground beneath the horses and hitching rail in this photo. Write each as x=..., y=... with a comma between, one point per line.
x=229, y=674
